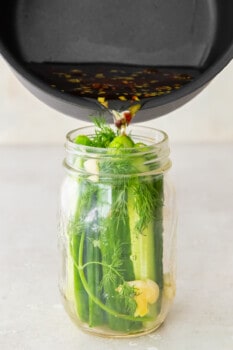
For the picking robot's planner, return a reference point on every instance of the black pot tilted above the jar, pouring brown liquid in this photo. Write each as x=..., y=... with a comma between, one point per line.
x=184, y=34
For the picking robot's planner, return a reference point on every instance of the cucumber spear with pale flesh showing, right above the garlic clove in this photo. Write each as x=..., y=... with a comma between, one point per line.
x=146, y=198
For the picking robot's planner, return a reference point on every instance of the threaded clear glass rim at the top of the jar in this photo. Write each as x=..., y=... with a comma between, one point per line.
x=154, y=155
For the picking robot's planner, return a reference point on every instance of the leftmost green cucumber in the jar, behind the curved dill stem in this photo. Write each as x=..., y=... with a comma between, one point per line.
x=87, y=310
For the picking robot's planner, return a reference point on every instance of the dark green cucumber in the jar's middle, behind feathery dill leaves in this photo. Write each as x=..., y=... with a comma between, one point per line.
x=116, y=257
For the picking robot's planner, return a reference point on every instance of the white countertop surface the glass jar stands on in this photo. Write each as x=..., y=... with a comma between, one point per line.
x=31, y=315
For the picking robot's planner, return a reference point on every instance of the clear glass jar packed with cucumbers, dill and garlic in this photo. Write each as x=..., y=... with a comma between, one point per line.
x=117, y=234
